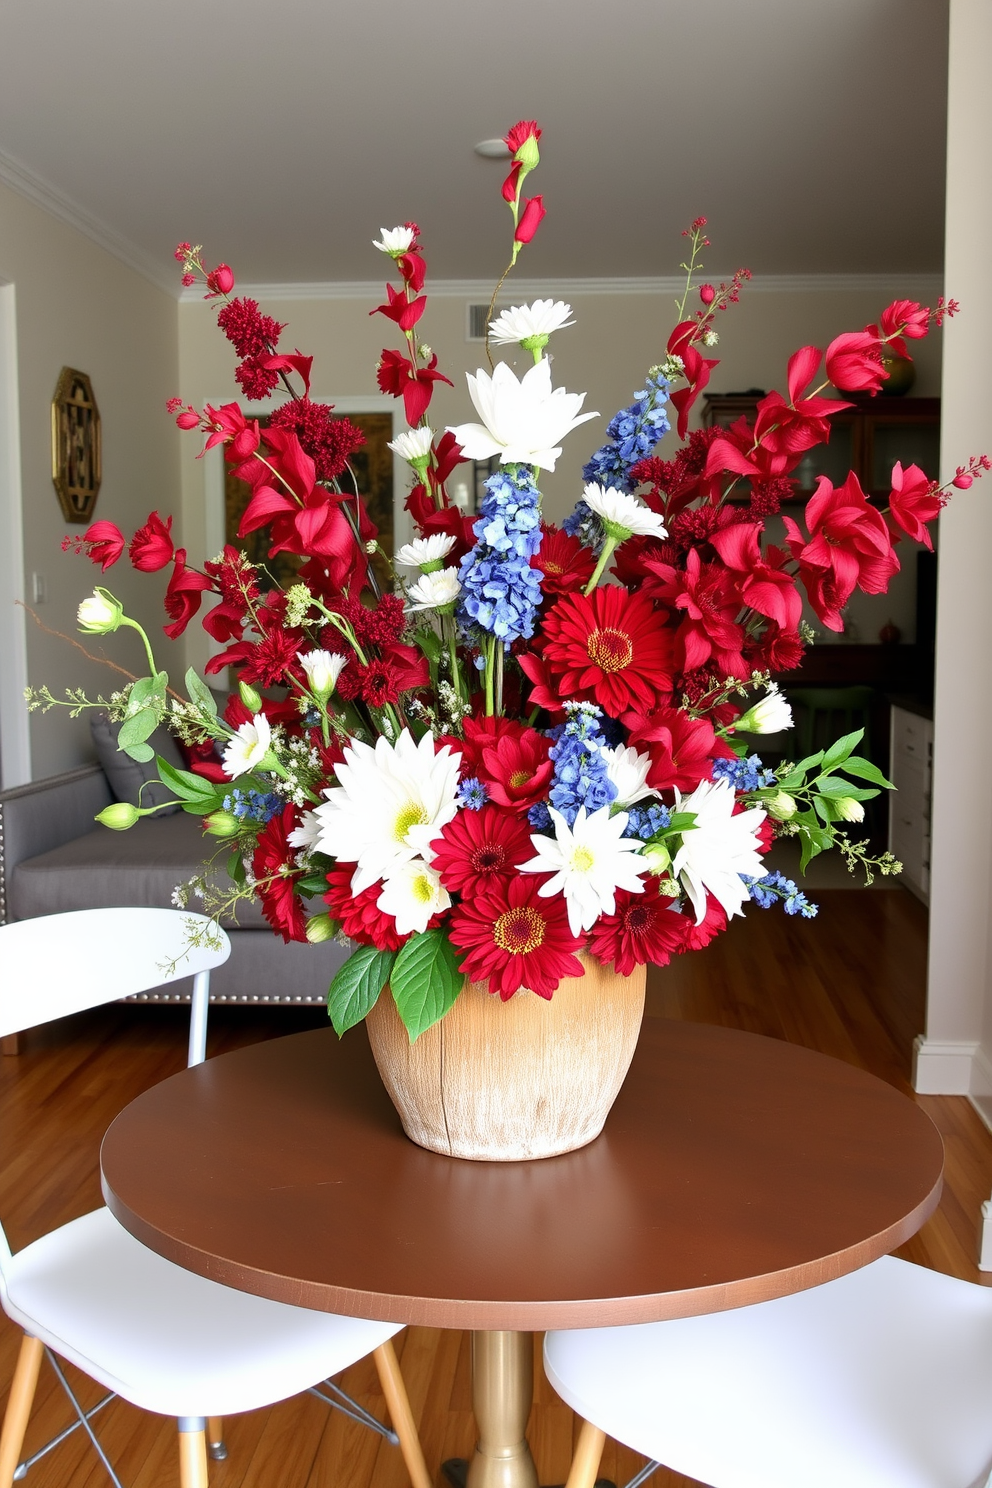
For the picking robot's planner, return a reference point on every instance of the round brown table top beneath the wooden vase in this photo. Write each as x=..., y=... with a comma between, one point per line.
x=732, y=1169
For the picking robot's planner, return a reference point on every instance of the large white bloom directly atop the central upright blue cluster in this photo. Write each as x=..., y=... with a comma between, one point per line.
x=523, y=422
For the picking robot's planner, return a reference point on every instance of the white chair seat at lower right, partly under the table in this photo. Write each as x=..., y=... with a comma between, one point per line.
x=880, y=1380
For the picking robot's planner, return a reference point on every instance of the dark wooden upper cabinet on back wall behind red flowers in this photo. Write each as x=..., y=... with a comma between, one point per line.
x=868, y=438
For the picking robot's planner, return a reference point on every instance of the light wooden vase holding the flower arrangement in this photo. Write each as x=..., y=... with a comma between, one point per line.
x=508, y=1083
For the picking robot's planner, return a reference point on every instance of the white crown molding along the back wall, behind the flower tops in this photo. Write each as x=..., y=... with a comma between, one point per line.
x=908, y=286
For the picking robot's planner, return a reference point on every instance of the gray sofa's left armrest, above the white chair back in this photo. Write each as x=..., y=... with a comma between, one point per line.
x=45, y=815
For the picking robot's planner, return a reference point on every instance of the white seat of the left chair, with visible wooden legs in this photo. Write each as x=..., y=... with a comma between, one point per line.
x=164, y=1338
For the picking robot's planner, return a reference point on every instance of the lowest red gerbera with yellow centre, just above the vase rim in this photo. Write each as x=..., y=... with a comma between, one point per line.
x=515, y=940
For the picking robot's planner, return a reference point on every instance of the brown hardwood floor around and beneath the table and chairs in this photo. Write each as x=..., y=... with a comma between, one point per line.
x=850, y=984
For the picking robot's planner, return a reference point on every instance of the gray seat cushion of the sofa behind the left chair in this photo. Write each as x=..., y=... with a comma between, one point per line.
x=108, y=868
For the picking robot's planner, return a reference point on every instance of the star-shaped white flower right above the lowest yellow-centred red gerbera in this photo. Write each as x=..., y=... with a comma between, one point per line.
x=590, y=861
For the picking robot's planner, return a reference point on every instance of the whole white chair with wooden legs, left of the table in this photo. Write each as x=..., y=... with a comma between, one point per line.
x=160, y=1337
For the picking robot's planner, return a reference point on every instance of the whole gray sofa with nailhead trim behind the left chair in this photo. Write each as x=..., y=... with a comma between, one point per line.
x=56, y=858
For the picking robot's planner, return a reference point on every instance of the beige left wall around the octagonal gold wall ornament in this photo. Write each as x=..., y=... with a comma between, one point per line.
x=77, y=306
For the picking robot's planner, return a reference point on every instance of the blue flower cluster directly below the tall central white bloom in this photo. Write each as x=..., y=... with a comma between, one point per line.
x=500, y=593
